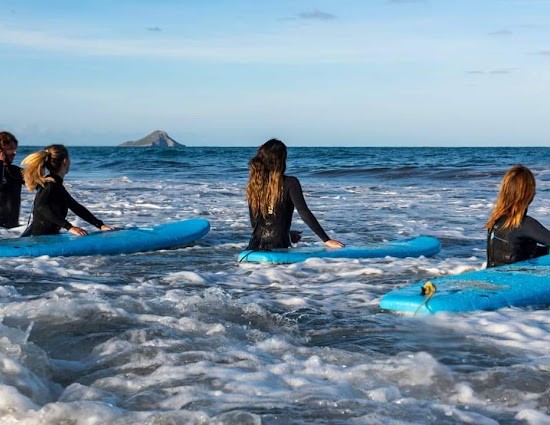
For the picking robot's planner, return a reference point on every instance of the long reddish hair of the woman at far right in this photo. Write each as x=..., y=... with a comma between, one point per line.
x=517, y=191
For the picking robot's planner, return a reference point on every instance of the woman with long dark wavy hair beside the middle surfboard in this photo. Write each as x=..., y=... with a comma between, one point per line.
x=272, y=197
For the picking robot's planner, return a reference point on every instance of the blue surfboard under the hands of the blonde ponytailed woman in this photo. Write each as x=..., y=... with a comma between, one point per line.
x=122, y=241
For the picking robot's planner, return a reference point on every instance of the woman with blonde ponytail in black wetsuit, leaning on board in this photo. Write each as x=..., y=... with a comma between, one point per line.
x=52, y=201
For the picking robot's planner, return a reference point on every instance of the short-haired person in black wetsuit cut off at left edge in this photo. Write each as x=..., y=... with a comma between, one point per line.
x=11, y=180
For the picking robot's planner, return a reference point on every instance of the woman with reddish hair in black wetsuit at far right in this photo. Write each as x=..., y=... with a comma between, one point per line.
x=512, y=235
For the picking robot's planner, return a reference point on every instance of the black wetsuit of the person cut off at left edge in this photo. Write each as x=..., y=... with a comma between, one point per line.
x=11, y=181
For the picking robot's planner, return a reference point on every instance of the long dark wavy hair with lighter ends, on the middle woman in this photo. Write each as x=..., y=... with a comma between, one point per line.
x=264, y=189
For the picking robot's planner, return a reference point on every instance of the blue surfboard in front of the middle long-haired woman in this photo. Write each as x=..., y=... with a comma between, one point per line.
x=414, y=247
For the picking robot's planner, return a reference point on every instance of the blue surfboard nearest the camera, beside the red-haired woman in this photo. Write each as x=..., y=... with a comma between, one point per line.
x=521, y=284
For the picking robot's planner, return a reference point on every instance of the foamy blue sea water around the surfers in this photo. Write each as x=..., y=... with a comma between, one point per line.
x=189, y=336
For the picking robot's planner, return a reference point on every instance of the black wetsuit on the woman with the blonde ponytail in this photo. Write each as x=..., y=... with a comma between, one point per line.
x=51, y=204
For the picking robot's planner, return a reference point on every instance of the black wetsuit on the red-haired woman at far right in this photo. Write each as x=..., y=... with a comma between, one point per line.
x=519, y=244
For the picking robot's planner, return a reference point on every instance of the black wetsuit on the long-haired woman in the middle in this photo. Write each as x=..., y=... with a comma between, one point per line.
x=274, y=231
